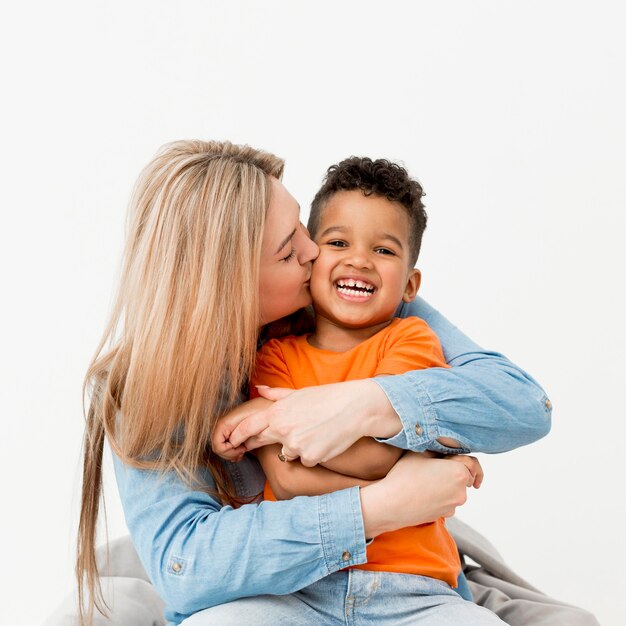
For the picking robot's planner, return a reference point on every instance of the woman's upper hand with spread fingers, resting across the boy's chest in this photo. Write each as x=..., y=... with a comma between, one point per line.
x=318, y=423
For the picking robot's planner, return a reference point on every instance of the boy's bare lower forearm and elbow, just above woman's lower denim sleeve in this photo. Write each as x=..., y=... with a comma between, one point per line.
x=290, y=479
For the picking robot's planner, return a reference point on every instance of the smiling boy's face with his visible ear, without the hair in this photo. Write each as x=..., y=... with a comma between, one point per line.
x=362, y=271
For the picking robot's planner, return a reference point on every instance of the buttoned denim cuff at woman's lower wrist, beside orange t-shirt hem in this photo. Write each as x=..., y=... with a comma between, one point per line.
x=341, y=525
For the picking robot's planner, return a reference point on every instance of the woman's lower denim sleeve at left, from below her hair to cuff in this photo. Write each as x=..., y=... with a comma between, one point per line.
x=199, y=553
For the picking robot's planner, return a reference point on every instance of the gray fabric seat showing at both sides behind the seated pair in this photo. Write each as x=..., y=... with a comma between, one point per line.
x=134, y=602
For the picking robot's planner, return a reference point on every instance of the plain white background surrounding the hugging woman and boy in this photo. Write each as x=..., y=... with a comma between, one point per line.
x=513, y=116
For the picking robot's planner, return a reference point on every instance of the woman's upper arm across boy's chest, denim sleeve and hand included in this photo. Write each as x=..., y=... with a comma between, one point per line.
x=484, y=402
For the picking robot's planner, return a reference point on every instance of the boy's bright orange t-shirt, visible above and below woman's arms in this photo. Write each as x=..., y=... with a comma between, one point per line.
x=406, y=344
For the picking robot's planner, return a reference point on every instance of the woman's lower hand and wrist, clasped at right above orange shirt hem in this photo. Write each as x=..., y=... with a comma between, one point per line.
x=418, y=489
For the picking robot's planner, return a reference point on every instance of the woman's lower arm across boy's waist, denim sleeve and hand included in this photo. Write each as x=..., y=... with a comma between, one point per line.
x=199, y=553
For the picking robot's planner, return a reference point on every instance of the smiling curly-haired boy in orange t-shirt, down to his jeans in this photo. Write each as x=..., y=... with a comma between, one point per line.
x=368, y=220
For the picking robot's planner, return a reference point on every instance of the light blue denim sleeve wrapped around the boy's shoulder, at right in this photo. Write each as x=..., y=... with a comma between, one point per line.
x=484, y=401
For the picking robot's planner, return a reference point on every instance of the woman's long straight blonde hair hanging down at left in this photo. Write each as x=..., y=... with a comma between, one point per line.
x=182, y=335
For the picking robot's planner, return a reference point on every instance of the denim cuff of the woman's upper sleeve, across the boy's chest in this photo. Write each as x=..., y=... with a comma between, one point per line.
x=420, y=426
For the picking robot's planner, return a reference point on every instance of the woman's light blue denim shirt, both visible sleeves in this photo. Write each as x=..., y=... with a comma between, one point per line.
x=199, y=553
